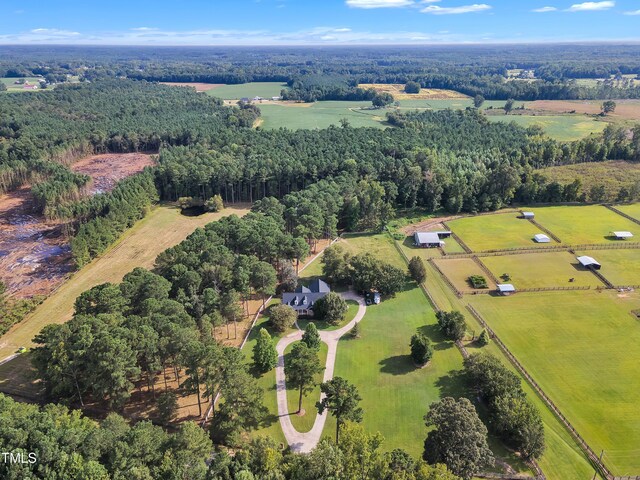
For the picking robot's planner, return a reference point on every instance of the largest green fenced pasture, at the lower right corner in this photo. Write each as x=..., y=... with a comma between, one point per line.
x=583, y=349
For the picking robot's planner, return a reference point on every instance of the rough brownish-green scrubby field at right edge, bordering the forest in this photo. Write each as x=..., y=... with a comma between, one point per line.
x=612, y=174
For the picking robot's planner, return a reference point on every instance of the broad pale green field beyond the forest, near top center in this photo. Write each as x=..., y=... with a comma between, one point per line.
x=320, y=115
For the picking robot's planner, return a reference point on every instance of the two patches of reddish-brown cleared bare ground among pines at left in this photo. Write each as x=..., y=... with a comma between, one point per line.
x=35, y=255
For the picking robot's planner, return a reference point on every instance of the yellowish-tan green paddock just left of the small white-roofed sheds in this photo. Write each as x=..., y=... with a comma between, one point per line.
x=542, y=270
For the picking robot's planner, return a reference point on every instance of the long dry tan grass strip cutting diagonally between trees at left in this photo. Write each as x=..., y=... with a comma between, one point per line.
x=162, y=228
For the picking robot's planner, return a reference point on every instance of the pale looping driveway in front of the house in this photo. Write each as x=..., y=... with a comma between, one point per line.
x=305, y=442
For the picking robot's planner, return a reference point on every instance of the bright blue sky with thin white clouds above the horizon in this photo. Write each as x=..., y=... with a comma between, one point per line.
x=298, y=22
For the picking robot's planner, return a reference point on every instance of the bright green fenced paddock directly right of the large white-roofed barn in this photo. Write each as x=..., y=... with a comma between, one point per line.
x=495, y=232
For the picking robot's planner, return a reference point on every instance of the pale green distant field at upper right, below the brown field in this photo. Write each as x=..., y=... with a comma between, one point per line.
x=560, y=127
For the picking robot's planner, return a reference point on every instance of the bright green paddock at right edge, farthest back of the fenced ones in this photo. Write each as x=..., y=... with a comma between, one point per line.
x=581, y=225
